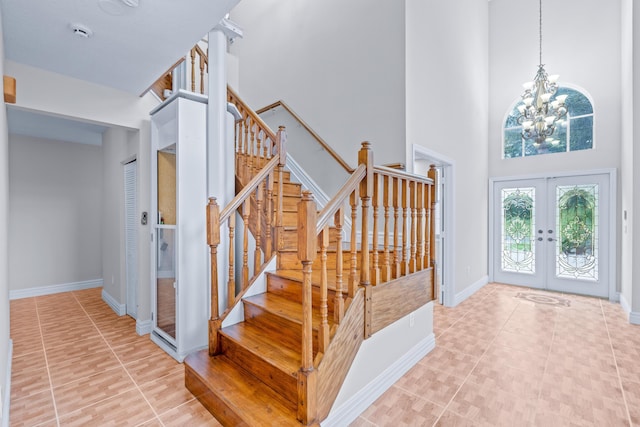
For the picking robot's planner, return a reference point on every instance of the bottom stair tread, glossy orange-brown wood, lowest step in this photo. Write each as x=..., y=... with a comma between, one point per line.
x=257, y=403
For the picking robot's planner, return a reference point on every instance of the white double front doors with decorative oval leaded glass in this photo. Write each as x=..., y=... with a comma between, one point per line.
x=553, y=233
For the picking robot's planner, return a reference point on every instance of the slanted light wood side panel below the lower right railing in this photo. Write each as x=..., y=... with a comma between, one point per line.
x=343, y=348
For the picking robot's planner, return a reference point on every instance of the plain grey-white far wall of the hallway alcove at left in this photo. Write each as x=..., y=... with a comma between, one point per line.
x=55, y=212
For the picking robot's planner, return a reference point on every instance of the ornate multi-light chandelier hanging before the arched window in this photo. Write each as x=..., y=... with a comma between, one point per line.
x=539, y=113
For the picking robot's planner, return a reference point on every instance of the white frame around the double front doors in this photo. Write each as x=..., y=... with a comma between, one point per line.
x=613, y=208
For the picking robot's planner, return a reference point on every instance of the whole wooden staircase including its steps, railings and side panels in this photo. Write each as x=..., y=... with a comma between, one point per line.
x=285, y=362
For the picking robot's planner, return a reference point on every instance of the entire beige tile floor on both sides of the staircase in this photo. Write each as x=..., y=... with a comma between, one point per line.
x=507, y=356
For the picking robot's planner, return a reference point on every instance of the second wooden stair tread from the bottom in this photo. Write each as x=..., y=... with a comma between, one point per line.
x=265, y=345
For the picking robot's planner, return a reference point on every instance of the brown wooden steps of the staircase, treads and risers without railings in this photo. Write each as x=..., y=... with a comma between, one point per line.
x=253, y=380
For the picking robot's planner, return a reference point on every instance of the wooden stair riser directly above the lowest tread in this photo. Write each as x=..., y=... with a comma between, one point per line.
x=285, y=383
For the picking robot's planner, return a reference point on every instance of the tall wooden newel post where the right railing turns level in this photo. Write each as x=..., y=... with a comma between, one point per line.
x=365, y=157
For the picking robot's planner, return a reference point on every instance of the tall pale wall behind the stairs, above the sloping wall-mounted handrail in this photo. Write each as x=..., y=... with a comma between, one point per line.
x=339, y=65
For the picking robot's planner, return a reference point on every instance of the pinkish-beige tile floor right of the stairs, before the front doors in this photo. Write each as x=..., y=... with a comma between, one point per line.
x=511, y=356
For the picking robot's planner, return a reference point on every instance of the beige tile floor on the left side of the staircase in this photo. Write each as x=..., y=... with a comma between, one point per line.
x=75, y=363
